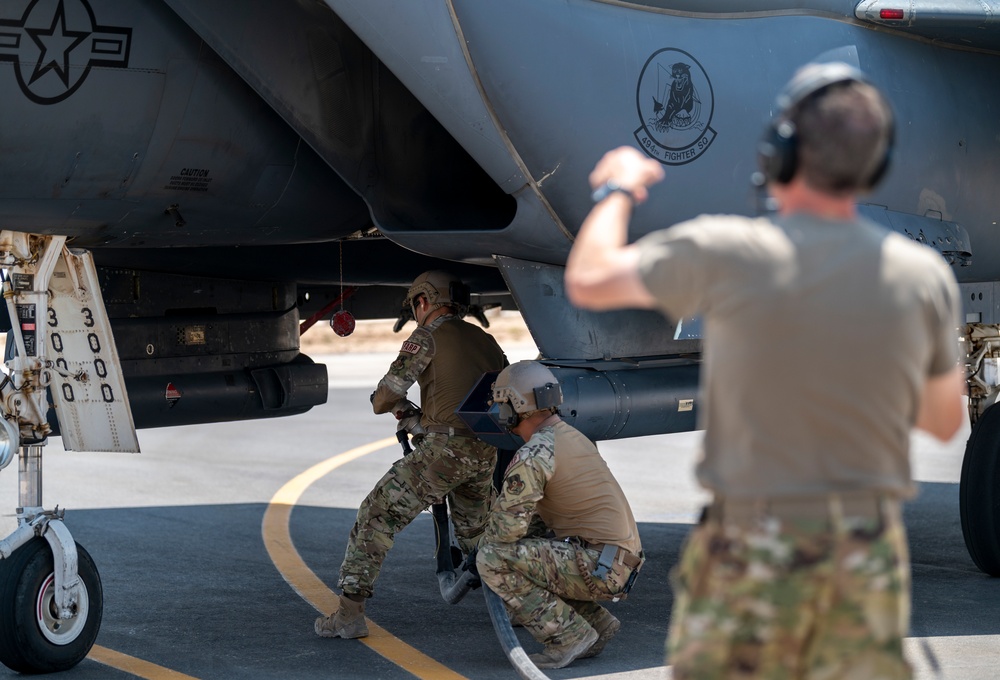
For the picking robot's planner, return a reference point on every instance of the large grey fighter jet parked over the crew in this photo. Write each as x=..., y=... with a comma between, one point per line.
x=186, y=185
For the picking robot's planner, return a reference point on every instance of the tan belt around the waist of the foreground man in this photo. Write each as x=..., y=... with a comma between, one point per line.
x=825, y=507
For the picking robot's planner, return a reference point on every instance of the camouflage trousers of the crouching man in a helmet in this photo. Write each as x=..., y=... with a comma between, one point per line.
x=544, y=583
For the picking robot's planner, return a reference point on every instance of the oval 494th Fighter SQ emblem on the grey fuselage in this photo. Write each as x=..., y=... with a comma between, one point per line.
x=675, y=102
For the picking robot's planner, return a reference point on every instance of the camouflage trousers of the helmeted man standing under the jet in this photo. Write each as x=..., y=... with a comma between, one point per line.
x=457, y=468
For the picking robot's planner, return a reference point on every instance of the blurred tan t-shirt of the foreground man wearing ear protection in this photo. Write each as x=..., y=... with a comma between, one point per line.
x=818, y=339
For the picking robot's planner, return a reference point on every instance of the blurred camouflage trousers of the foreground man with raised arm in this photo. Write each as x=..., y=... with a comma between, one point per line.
x=804, y=599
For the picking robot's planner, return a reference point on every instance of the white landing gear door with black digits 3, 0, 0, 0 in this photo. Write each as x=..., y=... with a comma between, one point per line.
x=86, y=381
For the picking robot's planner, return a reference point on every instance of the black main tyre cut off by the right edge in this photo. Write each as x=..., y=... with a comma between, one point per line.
x=979, y=492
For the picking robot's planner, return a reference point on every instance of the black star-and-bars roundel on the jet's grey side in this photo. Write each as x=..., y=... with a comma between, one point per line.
x=54, y=45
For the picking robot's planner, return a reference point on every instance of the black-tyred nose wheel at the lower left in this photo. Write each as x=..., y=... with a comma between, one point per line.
x=32, y=638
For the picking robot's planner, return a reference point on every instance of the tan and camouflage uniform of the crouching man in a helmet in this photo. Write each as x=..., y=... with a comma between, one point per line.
x=547, y=582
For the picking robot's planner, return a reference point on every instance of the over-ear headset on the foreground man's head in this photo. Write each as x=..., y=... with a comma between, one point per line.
x=777, y=153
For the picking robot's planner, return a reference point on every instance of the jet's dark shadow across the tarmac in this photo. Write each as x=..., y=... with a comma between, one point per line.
x=192, y=589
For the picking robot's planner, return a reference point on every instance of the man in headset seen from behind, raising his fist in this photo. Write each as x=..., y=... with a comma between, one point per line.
x=827, y=338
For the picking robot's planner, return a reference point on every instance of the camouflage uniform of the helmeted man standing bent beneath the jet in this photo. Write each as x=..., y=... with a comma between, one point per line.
x=446, y=357
